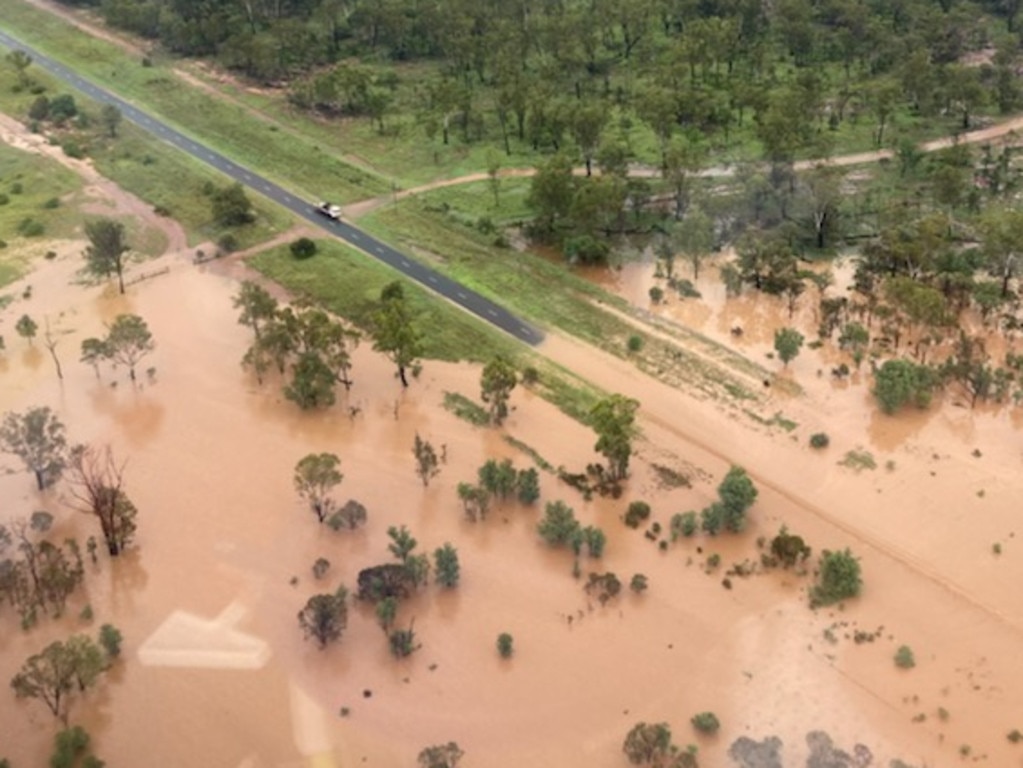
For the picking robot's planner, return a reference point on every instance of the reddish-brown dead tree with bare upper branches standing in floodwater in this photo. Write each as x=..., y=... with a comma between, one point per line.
x=97, y=482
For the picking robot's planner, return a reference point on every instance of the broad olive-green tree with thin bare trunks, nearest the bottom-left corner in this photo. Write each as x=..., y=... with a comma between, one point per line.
x=59, y=672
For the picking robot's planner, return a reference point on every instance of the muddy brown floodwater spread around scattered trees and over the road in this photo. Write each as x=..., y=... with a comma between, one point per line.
x=215, y=671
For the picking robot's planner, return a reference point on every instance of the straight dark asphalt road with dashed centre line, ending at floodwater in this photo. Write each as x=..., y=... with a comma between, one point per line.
x=457, y=293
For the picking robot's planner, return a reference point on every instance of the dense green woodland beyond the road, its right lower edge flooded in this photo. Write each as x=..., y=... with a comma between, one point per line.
x=715, y=103
